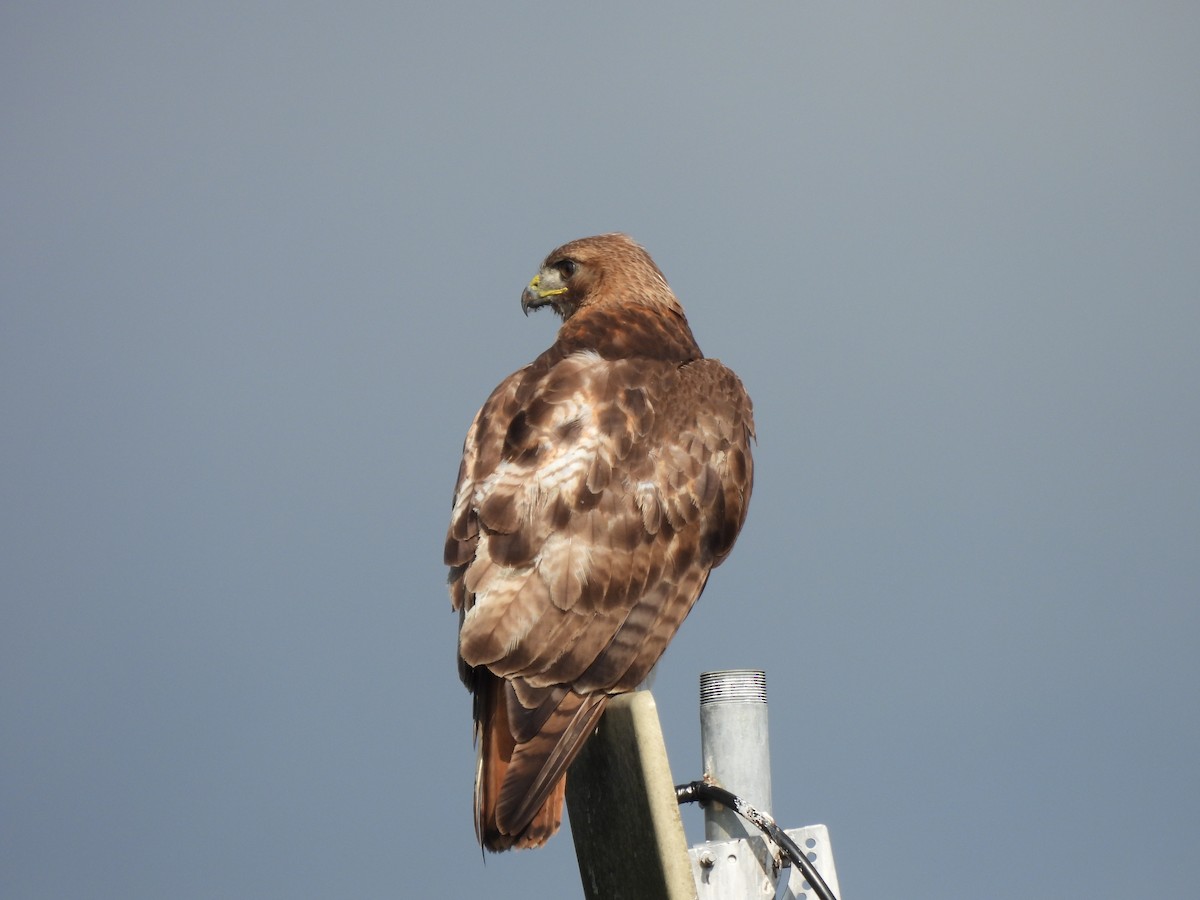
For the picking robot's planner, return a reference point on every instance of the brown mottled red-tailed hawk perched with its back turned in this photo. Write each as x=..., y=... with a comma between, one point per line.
x=599, y=487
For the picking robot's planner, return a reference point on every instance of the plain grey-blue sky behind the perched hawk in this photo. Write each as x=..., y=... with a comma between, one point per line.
x=261, y=263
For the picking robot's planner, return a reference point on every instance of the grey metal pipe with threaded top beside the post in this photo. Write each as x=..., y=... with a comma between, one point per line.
x=734, y=742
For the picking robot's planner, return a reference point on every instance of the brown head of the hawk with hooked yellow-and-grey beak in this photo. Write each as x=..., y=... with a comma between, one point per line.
x=607, y=269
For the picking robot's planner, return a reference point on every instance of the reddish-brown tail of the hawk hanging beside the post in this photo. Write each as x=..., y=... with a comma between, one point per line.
x=524, y=757
